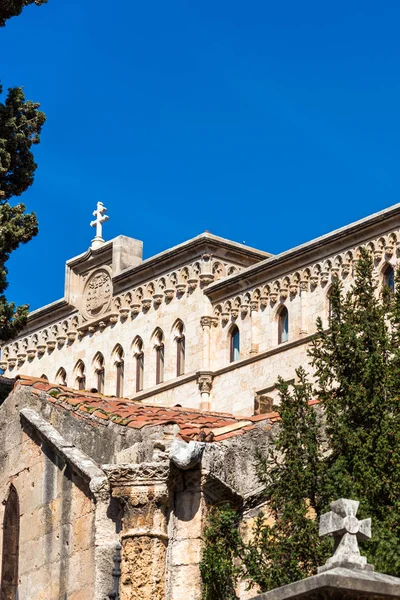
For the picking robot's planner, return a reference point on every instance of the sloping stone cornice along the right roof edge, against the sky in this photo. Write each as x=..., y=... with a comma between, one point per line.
x=318, y=249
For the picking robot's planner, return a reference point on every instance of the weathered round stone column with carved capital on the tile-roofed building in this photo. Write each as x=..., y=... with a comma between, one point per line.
x=144, y=494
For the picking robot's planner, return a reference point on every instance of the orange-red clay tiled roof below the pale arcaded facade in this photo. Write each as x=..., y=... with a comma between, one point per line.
x=193, y=424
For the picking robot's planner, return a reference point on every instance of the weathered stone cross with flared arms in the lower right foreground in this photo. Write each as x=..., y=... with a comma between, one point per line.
x=347, y=530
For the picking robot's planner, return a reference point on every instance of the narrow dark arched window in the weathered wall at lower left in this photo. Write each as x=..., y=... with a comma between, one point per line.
x=9, y=568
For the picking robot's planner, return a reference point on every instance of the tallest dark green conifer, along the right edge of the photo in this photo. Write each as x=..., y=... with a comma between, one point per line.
x=357, y=372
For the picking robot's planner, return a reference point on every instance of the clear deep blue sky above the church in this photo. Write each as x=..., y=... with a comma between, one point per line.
x=264, y=122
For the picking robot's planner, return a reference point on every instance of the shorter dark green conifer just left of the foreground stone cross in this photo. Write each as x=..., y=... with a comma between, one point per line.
x=285, y=544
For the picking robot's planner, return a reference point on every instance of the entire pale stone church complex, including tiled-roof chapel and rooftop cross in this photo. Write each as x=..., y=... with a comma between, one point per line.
x=139, y=398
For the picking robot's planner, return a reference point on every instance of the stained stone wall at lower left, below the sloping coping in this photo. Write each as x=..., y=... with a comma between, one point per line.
x=56, y=556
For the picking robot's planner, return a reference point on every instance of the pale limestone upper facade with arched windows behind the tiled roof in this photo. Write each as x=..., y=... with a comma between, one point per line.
x=121, y=317
